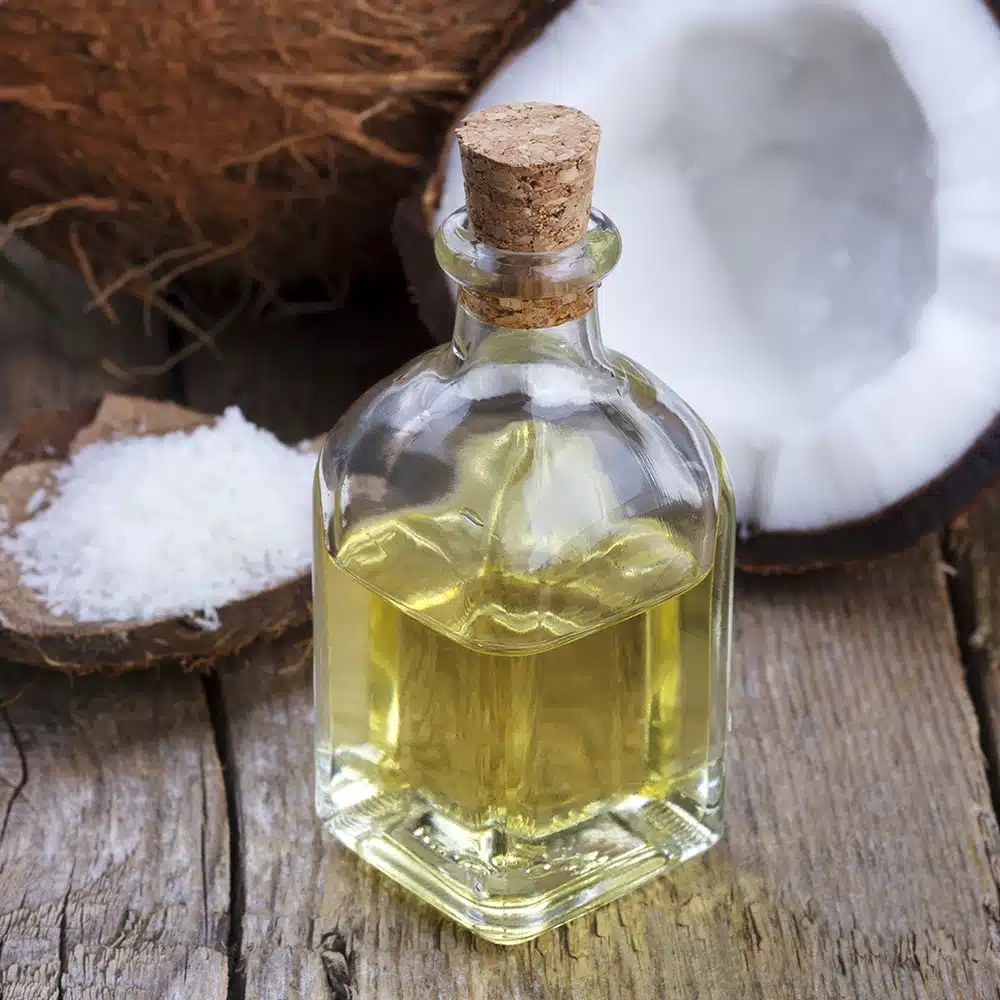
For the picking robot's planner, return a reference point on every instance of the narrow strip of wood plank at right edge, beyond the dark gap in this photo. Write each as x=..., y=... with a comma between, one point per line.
x=976, y=552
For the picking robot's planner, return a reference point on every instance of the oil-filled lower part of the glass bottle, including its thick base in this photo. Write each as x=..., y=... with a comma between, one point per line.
x=517, y=748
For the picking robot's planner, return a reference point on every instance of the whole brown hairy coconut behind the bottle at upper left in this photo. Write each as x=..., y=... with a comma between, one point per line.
x=266, y=140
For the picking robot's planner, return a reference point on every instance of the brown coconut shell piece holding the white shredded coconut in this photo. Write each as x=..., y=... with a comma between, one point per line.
x=29, y=633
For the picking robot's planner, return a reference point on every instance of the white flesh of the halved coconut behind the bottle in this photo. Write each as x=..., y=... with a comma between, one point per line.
x=809, y=201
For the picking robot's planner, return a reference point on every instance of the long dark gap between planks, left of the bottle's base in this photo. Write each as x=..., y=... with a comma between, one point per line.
x=219, y=720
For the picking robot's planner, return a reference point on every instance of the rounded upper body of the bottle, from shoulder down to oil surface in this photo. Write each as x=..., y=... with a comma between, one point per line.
x=550, y=479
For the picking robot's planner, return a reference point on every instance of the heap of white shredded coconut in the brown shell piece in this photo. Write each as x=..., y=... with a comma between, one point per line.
x=153, y=527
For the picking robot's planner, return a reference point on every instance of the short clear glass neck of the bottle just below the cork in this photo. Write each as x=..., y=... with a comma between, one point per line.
x=577, y=339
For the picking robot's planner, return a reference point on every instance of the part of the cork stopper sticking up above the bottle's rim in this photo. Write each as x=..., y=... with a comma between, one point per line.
x=529, y=174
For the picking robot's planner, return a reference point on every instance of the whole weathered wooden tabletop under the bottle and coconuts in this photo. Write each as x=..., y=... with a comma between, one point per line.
x=157, y=836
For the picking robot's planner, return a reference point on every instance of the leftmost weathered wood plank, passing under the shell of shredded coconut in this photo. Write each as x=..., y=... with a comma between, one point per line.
x=114, y=844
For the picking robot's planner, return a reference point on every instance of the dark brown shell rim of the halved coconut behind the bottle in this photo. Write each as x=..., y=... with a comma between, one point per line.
x=920, y=514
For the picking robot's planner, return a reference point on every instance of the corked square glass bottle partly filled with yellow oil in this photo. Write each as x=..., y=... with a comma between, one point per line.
x=523, y=576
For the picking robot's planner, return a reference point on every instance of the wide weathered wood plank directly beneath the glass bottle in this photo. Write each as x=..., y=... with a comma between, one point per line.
x=861, y=859
